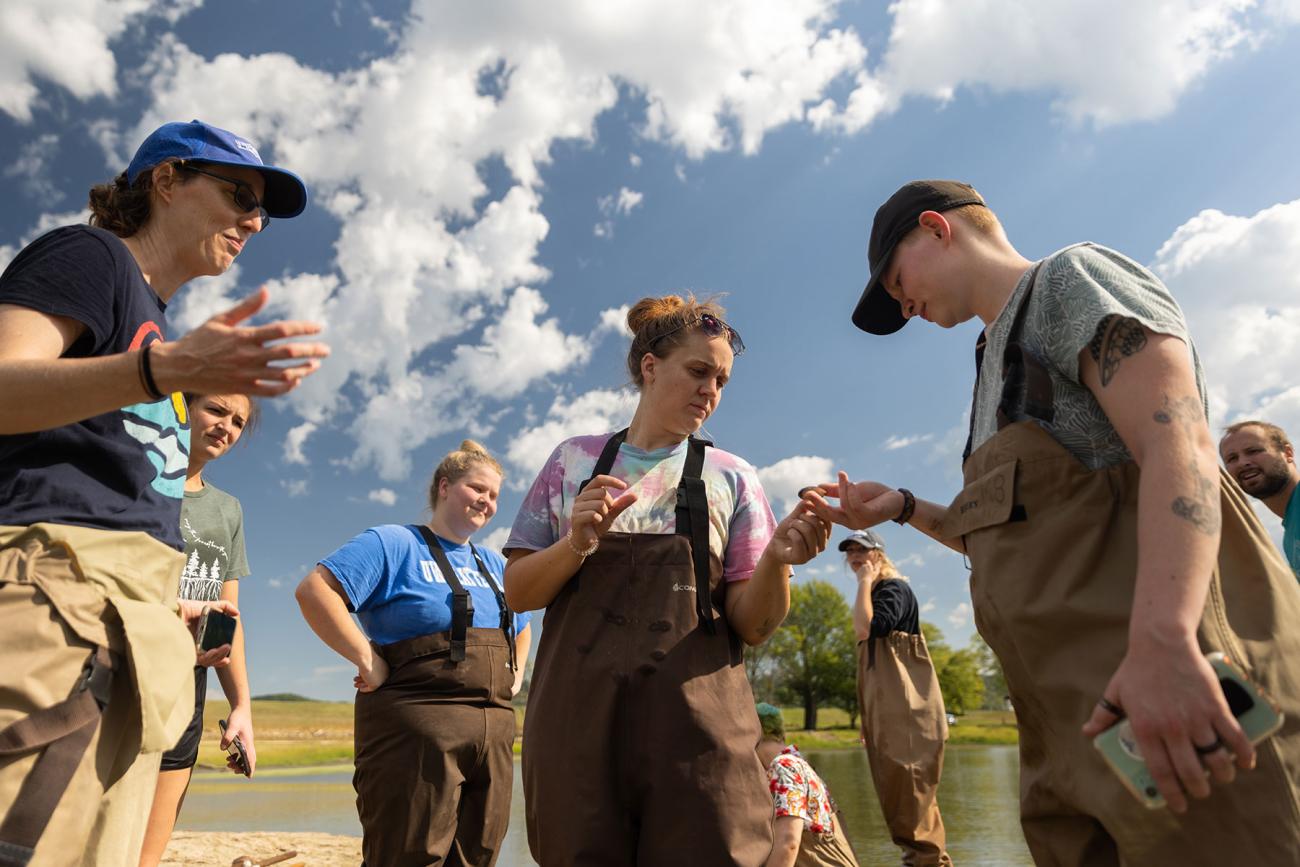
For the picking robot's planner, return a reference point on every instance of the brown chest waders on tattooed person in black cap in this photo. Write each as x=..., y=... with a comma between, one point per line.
x=1054, y=552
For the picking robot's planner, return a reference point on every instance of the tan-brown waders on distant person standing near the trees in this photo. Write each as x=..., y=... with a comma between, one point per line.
x=904, y=729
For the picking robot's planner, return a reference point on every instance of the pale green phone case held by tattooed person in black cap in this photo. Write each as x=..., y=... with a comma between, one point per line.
x=1258, y=716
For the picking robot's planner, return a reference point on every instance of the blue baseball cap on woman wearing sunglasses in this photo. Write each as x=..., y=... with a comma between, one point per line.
x=287, y=194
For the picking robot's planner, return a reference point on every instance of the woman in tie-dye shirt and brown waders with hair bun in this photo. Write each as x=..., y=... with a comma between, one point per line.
x=657, y=558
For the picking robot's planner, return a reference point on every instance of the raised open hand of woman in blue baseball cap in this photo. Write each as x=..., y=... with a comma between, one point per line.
x=223, y=357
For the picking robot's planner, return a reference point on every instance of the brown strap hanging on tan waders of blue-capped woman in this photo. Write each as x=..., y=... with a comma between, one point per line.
x=64, y=732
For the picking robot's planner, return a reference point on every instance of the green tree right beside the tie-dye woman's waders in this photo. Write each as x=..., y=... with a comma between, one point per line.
x=814, y=651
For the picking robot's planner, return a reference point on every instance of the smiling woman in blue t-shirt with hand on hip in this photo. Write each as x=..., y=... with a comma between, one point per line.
x=439, y=661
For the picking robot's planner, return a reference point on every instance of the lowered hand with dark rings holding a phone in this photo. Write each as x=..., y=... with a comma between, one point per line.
x=1175, y=704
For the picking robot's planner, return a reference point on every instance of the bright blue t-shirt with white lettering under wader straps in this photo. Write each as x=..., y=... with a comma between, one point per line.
x=397, y=591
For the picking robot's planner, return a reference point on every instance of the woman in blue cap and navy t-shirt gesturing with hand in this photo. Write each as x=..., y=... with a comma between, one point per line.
x=93, y=461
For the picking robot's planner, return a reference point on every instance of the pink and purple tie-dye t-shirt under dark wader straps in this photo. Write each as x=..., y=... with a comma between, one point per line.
x=740, y=521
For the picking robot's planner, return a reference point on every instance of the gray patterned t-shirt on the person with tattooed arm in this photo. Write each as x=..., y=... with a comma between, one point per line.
x=1076, y=289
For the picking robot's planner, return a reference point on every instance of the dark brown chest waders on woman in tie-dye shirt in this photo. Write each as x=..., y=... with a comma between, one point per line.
x=640, y=738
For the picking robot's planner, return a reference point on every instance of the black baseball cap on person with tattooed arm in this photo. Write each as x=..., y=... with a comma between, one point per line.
x=877, y=313
